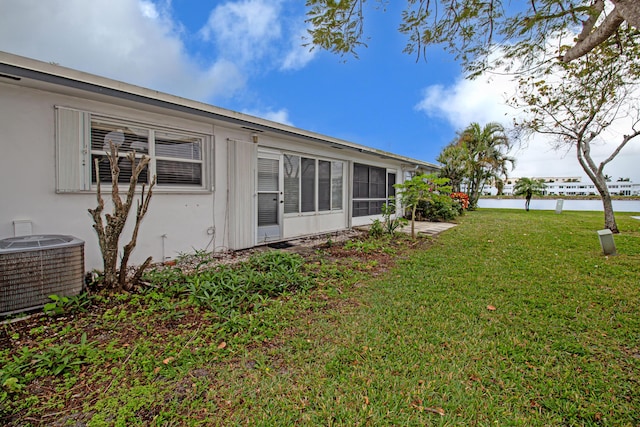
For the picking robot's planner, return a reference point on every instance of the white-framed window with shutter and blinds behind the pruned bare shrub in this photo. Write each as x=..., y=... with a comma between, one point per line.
x=176, y=157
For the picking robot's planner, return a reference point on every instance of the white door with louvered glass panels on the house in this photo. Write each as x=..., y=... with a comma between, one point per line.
x=270, y=198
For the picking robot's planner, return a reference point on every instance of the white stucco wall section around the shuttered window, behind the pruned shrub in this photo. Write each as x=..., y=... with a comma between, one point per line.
x=177, y=222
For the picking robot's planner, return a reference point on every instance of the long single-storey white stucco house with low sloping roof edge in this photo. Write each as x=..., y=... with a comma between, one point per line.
x=225, y=180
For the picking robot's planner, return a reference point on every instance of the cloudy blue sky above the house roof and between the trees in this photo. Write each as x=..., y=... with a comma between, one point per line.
x=247, y=56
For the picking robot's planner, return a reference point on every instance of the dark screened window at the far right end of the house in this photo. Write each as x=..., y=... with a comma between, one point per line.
x=372, y=186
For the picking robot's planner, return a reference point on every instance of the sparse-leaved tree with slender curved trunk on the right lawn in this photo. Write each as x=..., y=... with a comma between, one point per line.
x=583, y=103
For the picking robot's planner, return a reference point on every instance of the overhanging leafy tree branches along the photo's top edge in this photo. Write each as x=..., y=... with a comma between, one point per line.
x=472, y=29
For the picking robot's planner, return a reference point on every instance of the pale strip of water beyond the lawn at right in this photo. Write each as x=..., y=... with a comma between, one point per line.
x=568, y=204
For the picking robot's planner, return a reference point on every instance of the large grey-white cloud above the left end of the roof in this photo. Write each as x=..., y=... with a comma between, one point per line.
x=130, y=40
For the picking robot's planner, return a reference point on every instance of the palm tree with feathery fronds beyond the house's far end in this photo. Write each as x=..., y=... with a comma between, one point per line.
x=486, y=159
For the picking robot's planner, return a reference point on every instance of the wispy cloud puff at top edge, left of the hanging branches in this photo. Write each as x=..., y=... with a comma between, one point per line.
x=244, y=30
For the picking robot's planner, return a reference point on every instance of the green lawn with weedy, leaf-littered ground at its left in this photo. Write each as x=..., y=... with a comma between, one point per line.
x=511, y=318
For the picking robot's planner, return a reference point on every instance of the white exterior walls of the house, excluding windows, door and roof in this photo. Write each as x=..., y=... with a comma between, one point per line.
x=219, y=216
